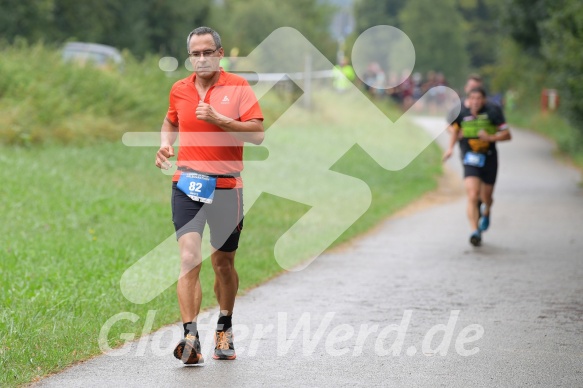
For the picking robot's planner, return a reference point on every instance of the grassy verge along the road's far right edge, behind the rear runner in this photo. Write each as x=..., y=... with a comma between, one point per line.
x=569, y=140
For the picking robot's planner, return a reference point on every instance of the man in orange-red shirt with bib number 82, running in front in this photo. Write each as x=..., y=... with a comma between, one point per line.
x=214, y=112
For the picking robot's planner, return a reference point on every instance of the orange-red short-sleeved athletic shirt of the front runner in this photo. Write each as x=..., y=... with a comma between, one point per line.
x=205, y=147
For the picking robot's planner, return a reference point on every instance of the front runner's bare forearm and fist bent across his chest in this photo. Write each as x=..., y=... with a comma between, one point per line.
x=250, y=131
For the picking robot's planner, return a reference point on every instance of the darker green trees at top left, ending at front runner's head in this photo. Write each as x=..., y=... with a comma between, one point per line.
x=145, y=26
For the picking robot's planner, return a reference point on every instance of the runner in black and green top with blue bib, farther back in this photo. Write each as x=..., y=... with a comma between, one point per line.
x=478, y=127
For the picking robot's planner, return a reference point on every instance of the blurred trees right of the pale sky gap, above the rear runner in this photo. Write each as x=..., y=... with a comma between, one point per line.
x=524, y=45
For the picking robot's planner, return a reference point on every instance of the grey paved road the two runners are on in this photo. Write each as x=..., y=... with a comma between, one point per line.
x=507, y=314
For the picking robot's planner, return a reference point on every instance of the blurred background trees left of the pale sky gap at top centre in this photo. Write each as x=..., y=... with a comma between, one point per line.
x=160, y=26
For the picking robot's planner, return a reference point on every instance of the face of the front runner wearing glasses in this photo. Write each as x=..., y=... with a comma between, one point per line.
x=206, y=63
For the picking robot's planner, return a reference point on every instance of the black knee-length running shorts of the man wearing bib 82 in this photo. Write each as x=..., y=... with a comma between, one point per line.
x=224, y=217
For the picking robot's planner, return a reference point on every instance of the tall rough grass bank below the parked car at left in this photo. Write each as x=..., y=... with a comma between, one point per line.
x=44, y=100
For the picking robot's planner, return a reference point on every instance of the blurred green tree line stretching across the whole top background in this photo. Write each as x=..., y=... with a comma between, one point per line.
x=519, y=44
